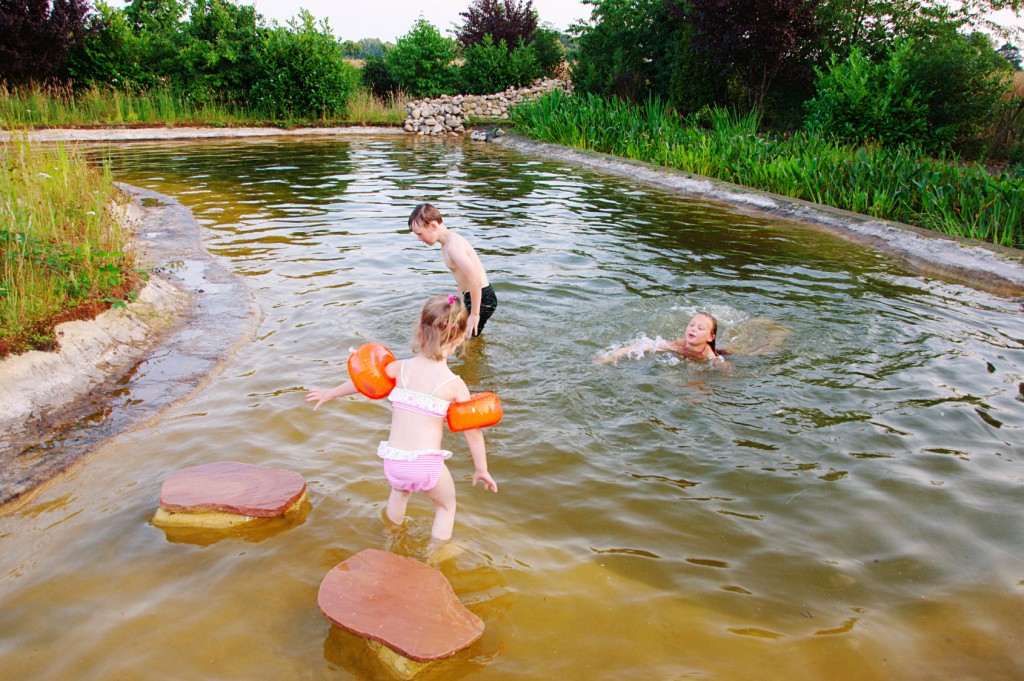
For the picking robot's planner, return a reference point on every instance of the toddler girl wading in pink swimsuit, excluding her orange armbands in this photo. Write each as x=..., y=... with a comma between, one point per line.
x=425, y=388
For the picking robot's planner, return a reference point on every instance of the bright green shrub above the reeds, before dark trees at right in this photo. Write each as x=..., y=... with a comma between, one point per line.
x=860, y=102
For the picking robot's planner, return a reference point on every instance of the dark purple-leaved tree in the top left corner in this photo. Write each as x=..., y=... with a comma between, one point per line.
x=36, y=37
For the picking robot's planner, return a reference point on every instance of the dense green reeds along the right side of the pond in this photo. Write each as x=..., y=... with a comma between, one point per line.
x=898, y=185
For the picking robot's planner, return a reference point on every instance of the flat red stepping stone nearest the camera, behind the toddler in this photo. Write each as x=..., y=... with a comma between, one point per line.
x=401, y=603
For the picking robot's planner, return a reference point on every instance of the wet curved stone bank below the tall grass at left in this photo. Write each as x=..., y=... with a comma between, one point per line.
x=127, y=366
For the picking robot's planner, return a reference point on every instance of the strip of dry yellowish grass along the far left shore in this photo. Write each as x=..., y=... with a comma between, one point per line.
x=58, y=107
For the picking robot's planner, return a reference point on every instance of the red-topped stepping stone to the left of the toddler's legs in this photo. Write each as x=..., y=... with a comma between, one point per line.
x=227, y=494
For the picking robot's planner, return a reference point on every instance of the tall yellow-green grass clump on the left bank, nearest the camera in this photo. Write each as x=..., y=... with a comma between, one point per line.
x=64, y=254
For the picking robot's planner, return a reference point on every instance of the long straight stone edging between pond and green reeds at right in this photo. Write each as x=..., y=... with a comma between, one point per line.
x=987, y=267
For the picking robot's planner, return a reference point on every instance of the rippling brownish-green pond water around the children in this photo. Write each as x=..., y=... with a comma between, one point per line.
x=842, y=502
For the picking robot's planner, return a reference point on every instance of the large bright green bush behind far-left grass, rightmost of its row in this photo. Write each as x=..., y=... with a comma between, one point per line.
x=303, y=72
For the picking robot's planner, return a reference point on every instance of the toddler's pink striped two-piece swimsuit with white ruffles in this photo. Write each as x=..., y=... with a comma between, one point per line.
x=415, y=471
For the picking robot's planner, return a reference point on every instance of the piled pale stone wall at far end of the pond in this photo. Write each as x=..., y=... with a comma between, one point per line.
x=449, y=115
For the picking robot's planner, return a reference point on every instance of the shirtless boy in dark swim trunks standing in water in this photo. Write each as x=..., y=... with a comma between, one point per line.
x=461, y=259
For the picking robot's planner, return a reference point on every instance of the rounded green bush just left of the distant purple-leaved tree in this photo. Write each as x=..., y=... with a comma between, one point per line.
x=422, y=61
